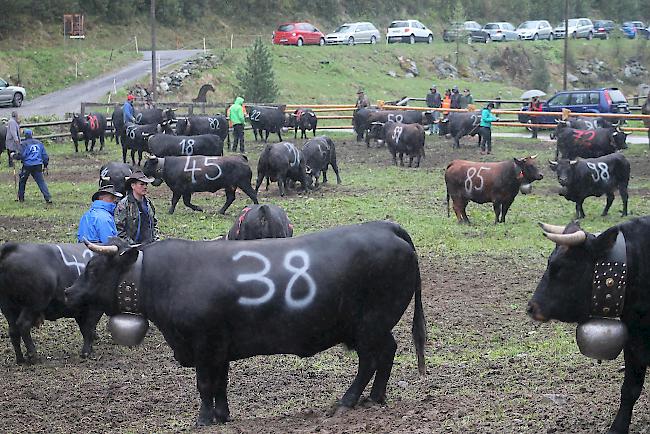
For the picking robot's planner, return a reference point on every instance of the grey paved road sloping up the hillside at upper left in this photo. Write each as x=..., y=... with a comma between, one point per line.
x=69, y=100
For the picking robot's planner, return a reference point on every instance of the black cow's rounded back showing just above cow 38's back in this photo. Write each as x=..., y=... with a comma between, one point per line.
x=261, y=221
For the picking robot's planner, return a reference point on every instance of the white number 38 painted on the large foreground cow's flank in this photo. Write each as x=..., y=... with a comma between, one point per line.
x=260, y=276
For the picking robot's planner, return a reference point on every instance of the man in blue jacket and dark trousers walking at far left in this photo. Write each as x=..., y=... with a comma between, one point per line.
x=35, y=159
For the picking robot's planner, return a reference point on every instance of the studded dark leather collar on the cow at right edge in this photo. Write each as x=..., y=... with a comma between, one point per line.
x=610, y=282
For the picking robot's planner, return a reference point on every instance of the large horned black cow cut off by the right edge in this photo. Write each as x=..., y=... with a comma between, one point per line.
x=565, y=291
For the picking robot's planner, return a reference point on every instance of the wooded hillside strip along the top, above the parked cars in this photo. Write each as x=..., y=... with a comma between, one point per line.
x=265, y=14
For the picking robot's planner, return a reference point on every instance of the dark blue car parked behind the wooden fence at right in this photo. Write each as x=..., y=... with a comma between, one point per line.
x=603, y=100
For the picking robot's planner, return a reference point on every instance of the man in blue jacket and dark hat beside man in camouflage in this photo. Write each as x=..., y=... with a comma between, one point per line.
x=98, y=223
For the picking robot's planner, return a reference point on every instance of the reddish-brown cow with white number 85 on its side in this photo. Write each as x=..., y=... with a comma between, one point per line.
x=480, y=182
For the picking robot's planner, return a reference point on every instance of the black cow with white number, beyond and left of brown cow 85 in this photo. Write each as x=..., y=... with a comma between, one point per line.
x=401, y=139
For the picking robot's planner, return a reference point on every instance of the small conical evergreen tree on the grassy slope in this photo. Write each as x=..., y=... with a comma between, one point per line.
x=256, y=77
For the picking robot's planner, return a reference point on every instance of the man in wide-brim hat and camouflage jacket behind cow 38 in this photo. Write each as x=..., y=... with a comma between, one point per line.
x=135, y=215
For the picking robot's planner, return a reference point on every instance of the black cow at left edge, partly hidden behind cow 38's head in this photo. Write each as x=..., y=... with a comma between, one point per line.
x=32, y=280
